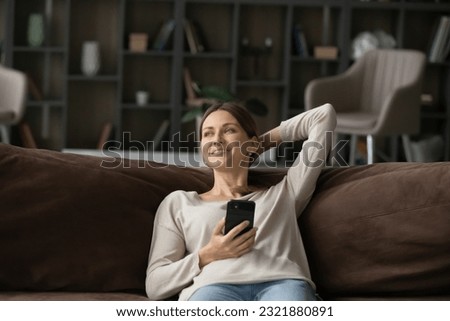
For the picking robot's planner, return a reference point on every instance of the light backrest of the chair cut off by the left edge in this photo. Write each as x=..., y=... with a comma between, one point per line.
x=12, y=95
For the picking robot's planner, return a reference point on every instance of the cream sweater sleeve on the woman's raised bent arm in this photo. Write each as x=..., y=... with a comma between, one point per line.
x=316, y=127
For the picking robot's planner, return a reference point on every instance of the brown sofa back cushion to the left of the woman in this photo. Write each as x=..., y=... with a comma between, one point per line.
x=79, y=223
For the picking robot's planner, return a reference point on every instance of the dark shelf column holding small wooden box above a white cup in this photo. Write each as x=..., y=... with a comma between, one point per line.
x=152, y=71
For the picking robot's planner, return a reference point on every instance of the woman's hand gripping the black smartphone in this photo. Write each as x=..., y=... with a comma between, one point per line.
x=227, y=246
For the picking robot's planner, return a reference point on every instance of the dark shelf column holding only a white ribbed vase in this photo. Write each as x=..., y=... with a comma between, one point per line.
x=92, y=100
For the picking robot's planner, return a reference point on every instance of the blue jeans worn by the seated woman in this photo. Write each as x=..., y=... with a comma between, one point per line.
x=280, y=290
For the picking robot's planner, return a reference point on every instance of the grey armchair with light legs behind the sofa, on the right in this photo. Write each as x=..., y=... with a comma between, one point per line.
x=379, y=95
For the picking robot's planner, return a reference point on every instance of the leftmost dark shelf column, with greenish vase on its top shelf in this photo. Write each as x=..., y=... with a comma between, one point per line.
x=45, y=66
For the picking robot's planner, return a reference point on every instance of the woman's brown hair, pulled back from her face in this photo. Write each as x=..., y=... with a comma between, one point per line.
x=237, y=111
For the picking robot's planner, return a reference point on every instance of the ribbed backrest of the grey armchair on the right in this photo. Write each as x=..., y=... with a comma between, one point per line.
x=384, y=71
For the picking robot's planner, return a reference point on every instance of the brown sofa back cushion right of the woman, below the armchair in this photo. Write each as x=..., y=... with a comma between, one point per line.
x=380, y=230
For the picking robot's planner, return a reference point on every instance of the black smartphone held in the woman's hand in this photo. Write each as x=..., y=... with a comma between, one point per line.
x=237, y=212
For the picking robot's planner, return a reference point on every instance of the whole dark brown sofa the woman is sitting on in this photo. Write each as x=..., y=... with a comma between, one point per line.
x=78, y=227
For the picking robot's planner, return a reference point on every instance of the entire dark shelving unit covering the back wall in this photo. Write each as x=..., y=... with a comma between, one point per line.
x=248, y=51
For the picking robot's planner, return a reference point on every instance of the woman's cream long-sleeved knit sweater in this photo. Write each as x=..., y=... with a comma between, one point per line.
x=184, y=223
